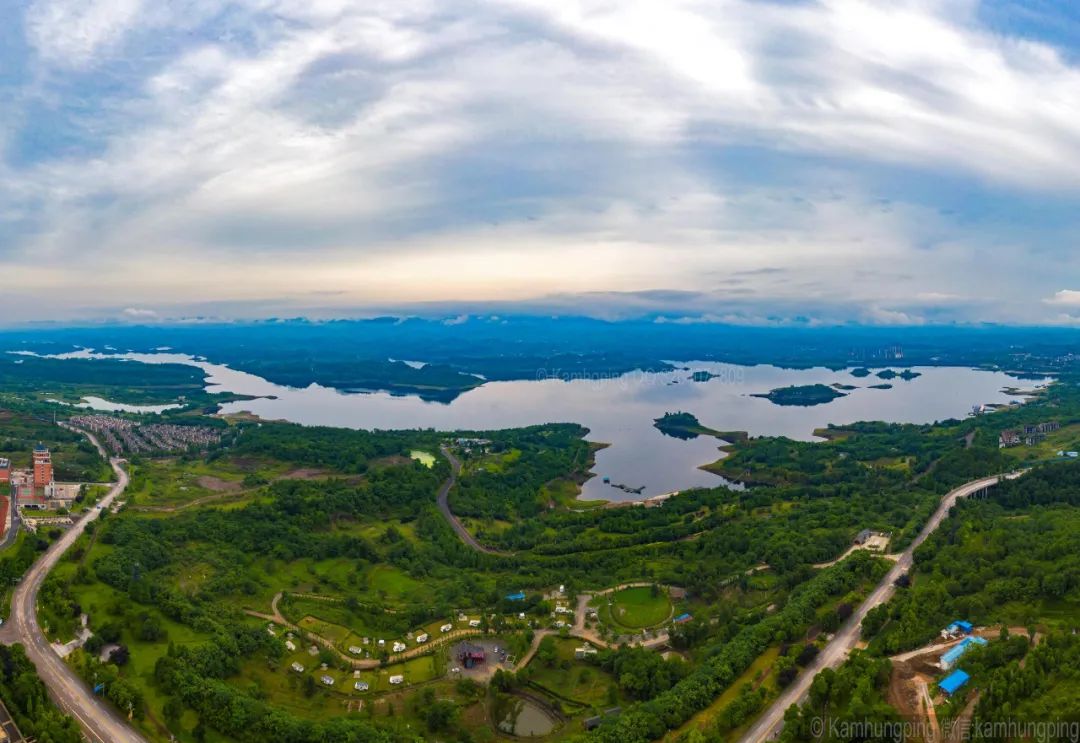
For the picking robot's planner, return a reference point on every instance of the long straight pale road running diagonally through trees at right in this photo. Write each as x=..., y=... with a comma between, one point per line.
x=838, y=651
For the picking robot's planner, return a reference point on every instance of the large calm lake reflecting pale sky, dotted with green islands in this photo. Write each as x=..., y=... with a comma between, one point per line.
x=620, y=411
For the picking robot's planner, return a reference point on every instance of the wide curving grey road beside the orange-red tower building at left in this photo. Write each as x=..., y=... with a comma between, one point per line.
x=99, y=722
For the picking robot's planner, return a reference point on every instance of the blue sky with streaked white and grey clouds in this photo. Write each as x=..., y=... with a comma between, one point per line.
x=894, y=163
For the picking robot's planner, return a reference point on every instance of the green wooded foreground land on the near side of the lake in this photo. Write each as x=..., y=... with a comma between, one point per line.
x=265, y=580
